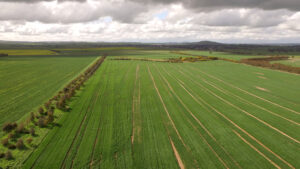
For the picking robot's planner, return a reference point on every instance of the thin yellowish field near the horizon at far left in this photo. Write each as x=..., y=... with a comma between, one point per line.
x=27, y=52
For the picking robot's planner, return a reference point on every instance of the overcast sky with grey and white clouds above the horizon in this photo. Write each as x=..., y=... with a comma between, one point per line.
x=228, y=21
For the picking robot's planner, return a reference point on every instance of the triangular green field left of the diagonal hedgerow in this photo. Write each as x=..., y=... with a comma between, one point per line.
x=28, y=81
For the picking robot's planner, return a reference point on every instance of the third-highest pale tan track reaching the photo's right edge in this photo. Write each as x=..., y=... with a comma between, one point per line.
x=247, y=113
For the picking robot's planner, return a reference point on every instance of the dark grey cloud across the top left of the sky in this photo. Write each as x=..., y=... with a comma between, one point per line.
x=70, y=12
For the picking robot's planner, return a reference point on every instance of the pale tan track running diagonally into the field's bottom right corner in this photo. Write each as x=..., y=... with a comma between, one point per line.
x=234, y=124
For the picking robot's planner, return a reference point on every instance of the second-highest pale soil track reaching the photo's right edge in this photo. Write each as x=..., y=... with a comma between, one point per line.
x=246, y=101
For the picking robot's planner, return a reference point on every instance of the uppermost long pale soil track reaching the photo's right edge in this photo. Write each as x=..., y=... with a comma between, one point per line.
x=228, y=84
